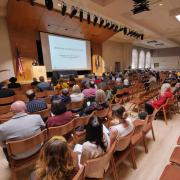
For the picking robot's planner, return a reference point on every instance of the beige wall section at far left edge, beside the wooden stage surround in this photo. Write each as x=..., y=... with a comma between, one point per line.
x=6, y=62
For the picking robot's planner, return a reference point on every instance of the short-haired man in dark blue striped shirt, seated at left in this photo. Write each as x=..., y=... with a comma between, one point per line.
x=34, y=105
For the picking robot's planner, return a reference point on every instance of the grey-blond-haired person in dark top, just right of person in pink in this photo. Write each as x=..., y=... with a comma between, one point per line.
x=99, y=104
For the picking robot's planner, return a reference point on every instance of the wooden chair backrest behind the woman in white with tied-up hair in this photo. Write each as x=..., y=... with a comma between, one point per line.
x=123, y=142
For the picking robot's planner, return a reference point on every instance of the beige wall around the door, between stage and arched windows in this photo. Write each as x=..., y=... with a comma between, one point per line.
x=116, y=52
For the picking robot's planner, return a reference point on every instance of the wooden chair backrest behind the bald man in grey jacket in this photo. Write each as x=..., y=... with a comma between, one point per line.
x=25, y=145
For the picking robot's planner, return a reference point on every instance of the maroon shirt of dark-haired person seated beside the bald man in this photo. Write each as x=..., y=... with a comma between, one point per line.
x=60, y=120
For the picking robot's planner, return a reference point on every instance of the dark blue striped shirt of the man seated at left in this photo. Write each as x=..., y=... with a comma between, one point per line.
x=35, y=105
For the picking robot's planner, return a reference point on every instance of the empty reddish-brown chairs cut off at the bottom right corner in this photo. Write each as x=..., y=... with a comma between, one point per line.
x=172, y=170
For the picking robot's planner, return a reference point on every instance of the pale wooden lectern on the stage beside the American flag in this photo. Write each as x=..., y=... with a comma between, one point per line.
x=38, y=71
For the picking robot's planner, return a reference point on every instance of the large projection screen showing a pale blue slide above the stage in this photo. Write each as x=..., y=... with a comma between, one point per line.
x=62, y=53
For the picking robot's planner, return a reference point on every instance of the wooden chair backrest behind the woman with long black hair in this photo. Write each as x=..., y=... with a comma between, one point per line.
x=94, y=165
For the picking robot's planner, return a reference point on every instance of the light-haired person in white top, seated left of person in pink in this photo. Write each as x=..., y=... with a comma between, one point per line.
x=76, y=95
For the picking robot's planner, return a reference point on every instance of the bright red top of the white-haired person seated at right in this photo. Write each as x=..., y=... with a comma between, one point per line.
x=162, y=99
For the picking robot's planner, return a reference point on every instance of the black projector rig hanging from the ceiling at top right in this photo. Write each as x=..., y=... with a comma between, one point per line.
x=140, y=6
